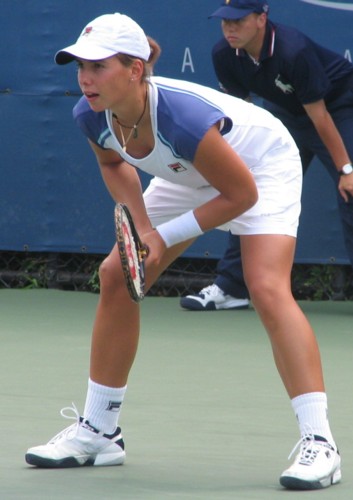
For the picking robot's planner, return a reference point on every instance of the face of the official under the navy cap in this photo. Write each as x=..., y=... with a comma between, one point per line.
x=245, y=33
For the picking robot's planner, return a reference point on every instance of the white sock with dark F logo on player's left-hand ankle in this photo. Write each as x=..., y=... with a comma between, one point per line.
x=102, y=406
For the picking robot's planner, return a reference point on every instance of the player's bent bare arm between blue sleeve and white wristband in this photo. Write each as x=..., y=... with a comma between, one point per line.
x=218, y=163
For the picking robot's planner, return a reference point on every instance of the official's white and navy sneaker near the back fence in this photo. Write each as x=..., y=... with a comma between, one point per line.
x=212, y=298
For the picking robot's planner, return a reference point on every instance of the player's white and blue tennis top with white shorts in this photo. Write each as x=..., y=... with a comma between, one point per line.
x=181, y=113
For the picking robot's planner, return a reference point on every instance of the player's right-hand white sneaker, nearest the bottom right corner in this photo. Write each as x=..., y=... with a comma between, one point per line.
x=317, y=465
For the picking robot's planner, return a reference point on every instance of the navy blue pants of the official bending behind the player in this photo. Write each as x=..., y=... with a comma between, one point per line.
x=229, y=270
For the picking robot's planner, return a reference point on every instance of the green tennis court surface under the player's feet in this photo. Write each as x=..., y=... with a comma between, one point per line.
x=205, y=417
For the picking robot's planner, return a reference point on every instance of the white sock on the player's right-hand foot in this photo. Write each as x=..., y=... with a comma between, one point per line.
x=311, y=412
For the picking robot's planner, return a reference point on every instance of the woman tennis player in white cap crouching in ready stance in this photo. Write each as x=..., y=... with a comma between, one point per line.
x=217, y=162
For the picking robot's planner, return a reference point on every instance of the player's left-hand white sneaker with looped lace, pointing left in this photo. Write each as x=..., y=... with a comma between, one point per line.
x=78, y=445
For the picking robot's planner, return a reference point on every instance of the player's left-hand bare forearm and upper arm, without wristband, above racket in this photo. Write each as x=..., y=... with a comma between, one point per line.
x=123, y=184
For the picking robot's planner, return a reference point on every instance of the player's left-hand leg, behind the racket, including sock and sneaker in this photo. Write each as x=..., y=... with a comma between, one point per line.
x=95, y=438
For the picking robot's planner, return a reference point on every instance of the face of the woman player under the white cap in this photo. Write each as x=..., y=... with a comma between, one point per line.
x=104, y=83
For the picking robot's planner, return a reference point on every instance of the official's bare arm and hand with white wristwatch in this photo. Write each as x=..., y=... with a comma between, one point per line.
x=332, y=139
